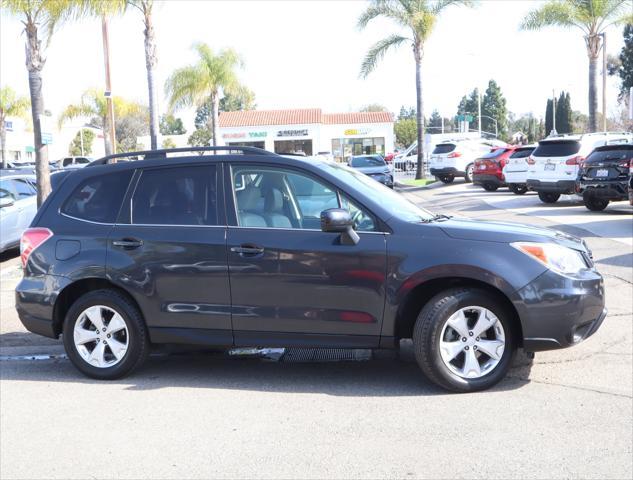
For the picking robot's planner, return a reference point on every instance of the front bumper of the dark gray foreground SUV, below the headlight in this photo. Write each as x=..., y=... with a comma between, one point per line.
x=558, y=311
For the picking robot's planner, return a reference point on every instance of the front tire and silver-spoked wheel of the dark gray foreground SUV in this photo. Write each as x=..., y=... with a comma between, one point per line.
x=432, y=322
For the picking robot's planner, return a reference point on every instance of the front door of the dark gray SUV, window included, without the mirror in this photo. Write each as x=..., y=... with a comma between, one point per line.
x=291, y=283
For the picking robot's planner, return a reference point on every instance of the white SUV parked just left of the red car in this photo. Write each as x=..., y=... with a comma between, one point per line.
x=456, y=159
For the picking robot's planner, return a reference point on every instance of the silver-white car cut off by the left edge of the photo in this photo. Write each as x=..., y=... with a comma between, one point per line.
x=18, y=205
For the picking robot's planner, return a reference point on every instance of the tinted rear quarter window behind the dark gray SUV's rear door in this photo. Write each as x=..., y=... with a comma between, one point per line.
x=98, y=199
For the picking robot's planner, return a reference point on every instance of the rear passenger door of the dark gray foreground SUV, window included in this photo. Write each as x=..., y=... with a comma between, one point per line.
x=169, y=251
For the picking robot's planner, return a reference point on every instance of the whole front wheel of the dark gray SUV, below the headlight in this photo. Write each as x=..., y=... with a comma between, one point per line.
x=463, y=340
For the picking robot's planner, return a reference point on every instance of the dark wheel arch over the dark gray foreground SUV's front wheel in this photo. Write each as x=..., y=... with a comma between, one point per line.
x=420, y=295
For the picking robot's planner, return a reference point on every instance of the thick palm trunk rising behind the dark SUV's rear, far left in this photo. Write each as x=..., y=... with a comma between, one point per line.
x=35, y=64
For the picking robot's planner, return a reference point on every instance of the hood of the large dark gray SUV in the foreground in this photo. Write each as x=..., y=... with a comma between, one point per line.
x=507, y=232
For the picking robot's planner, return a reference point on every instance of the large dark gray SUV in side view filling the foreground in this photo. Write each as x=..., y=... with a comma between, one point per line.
x=250, y=248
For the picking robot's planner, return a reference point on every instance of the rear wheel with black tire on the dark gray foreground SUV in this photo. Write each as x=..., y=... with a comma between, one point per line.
x=132, y=334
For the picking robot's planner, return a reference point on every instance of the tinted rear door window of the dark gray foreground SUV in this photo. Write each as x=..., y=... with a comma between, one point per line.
x=176, y=196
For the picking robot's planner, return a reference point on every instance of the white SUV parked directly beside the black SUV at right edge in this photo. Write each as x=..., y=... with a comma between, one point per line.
x=553, y=166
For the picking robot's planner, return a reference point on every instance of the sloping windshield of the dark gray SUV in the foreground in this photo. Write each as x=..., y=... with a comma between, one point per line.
x=393, y=202
